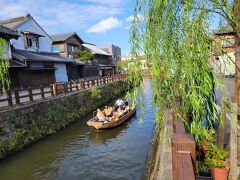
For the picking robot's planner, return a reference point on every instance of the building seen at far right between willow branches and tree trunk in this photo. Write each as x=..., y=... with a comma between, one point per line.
x=223, y=51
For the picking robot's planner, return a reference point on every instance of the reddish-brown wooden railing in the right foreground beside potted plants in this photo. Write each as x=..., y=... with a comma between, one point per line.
x=183, y=152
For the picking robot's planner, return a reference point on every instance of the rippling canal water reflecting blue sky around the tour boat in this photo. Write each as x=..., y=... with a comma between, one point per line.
x=80, y=152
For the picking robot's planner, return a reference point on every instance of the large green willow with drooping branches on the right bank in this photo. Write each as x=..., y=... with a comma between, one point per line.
x=175, y=37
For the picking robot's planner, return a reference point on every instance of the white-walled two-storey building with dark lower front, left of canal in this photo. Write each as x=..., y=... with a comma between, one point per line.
x=33, y=49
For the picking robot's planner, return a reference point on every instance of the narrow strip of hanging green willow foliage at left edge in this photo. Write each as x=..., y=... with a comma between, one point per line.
x=4, y=66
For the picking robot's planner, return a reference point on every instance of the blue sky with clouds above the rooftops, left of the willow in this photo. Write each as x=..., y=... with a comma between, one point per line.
x=100, y=22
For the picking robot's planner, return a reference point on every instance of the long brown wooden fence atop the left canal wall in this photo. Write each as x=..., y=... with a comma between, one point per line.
x=16, y=97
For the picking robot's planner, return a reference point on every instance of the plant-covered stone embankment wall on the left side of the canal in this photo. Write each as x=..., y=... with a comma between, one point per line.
x=26, y=124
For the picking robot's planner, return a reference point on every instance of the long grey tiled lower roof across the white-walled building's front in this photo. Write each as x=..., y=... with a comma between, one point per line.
x=38, y=56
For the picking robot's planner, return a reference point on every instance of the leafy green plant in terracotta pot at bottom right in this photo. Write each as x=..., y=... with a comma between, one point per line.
x=216, y=159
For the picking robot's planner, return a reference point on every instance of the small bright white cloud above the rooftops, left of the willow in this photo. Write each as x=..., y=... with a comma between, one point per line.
x=105, y=25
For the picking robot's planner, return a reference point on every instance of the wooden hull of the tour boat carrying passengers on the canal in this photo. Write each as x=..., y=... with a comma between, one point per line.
x=105, y=125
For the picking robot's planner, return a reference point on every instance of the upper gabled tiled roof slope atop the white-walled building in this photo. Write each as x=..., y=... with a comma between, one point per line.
x=15, y=22
